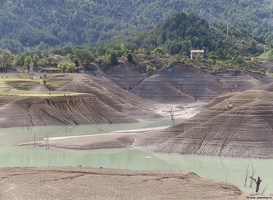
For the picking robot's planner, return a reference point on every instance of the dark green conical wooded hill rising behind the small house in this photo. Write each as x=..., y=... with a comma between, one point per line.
x=180, y=33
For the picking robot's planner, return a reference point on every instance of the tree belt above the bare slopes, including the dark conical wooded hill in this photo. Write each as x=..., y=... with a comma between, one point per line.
x=178, y=34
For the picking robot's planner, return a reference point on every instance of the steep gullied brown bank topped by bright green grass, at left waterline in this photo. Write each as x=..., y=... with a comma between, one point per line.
x=59, y=111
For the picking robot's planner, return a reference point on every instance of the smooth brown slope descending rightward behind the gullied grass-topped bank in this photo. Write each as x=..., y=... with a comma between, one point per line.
x=111, y=94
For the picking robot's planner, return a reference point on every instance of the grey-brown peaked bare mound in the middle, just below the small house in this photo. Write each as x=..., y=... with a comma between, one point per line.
x=179, y=83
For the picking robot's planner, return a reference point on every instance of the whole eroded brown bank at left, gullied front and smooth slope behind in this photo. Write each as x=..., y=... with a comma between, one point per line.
x=103, y=102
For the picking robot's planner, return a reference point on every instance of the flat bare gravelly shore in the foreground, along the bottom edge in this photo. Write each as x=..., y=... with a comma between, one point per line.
x=89, y=183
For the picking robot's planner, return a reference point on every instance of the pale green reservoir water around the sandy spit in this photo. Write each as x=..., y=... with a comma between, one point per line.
x=231, y=170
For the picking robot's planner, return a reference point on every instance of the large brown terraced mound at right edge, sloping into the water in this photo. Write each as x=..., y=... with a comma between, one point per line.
x=234, y=124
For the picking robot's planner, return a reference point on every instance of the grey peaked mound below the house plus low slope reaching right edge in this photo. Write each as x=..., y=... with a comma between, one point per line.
x=185, y=83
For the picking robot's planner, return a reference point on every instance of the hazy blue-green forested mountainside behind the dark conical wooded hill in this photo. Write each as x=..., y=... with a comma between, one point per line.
x=43, y=23
